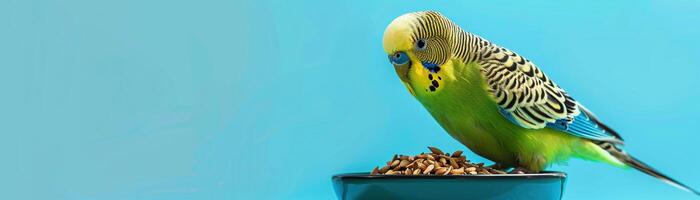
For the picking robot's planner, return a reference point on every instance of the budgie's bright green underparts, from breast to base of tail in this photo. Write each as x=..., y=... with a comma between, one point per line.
x=463, y=106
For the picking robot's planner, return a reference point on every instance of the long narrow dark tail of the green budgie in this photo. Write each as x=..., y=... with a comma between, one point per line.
x=639, y=165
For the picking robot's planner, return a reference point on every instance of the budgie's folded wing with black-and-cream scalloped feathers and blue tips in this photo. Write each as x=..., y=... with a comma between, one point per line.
x=528, y=98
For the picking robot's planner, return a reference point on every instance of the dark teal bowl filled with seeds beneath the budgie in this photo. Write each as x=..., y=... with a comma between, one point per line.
x=542, y=186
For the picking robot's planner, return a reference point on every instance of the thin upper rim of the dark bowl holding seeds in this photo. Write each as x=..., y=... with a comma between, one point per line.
x=366, y=175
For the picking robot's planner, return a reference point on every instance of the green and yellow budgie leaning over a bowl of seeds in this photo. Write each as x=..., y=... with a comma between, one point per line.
x=496, y=102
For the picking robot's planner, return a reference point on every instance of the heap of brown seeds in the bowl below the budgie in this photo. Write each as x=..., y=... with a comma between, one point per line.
x=434, y=163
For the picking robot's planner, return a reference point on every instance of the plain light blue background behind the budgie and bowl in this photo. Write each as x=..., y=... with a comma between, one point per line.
x=267, y=99
